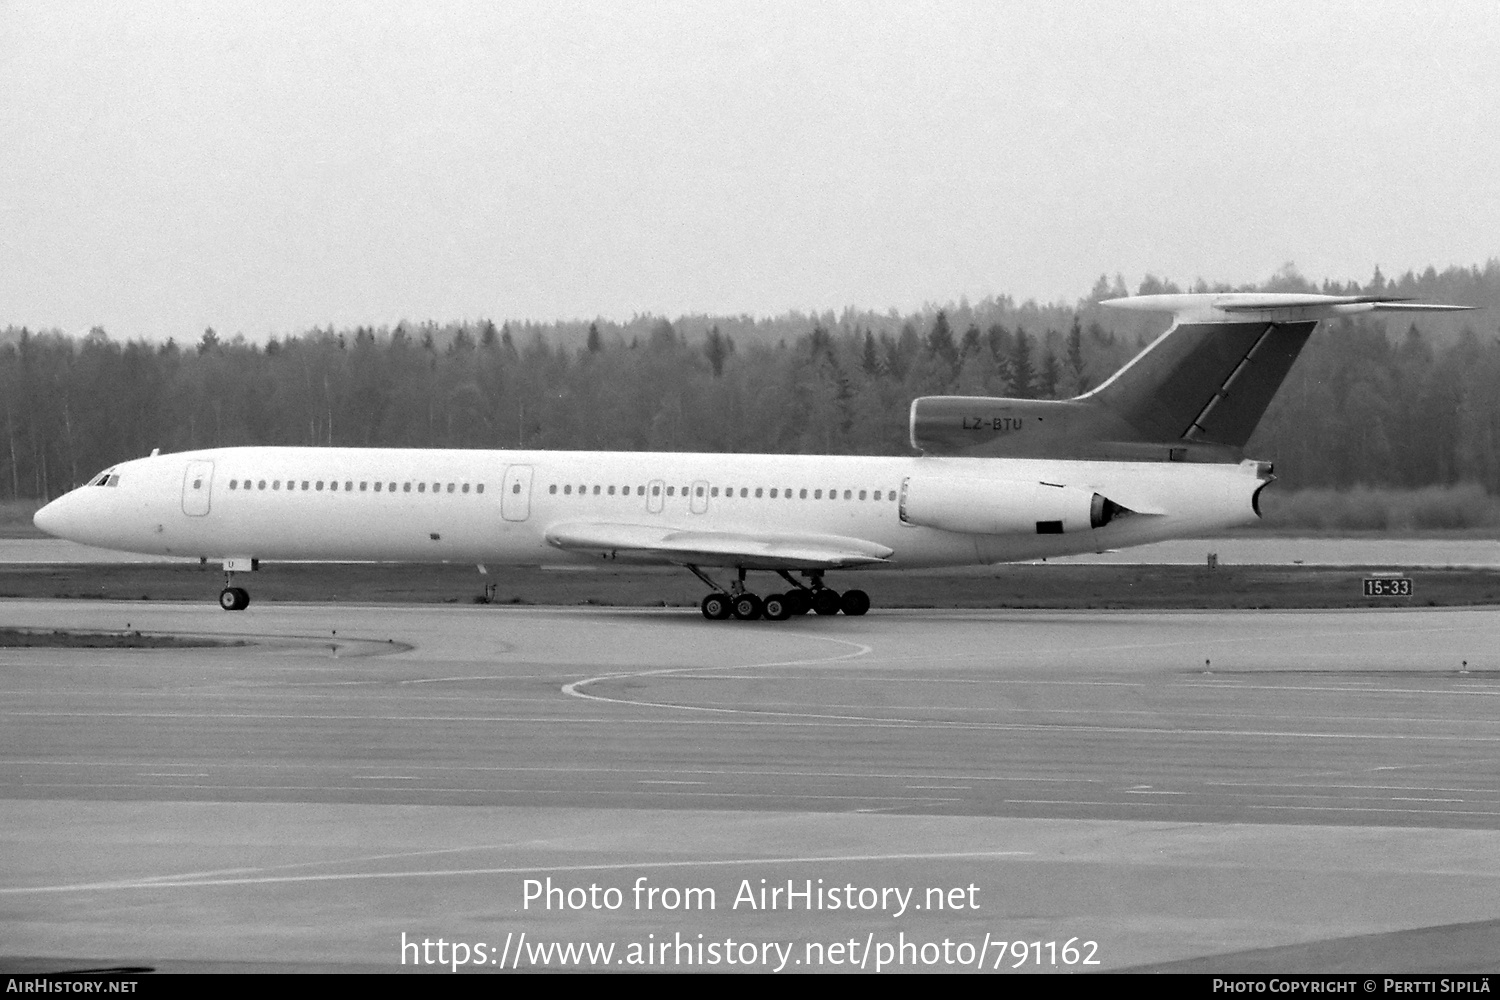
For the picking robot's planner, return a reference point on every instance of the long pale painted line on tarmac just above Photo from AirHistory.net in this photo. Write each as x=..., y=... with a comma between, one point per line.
x=193, y=882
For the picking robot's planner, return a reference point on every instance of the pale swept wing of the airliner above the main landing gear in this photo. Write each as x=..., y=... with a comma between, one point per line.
x=761, y=551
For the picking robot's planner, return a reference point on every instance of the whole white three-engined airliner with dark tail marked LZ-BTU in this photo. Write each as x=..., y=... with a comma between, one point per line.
x=1153, y=454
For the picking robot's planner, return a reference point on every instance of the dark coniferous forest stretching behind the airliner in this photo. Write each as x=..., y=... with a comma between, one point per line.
x=1373, y=403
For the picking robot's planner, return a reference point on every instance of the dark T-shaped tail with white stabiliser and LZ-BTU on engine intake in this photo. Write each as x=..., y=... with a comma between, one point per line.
x=1195, y=395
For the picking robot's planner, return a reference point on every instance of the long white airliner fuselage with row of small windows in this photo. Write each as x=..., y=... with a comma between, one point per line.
x=496, y=507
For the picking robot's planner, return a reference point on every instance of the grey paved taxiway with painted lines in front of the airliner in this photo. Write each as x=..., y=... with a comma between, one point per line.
x=1178, y=788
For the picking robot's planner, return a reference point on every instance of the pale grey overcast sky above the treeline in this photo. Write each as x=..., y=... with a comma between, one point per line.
x=266, y=167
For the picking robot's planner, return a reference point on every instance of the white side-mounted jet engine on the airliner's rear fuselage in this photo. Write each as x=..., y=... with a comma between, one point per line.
x=1000, y=507
